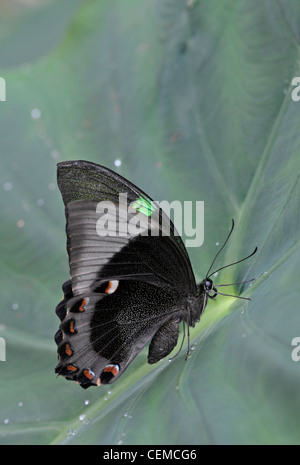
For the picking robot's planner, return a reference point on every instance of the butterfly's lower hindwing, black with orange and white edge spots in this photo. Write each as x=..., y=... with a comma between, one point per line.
x=102, y=330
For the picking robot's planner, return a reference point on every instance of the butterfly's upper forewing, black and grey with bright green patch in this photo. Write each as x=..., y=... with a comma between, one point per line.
x=161, y=257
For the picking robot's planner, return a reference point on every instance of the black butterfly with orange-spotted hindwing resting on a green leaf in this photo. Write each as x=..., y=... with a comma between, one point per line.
x=125, y=289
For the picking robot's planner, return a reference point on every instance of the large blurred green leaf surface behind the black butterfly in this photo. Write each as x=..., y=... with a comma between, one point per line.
x=193, y=97
